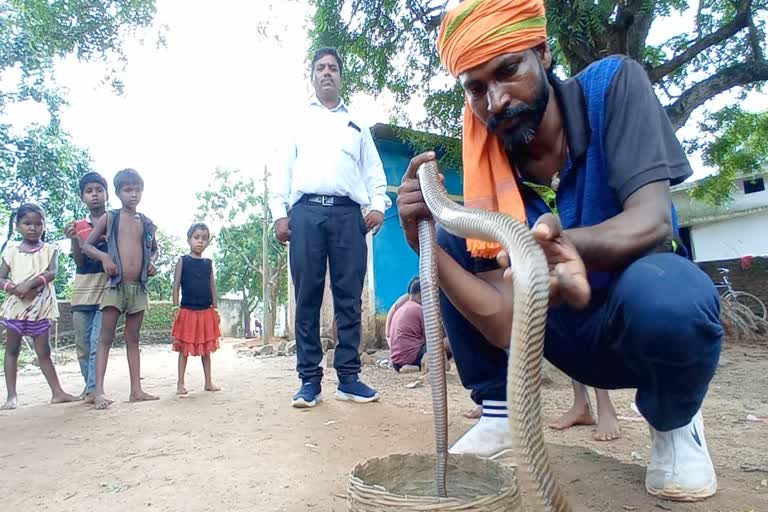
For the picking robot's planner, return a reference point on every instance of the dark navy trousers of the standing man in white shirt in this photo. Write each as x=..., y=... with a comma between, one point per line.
x=335, y=234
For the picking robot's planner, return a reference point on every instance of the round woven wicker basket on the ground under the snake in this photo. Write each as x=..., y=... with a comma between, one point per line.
x=406, y=482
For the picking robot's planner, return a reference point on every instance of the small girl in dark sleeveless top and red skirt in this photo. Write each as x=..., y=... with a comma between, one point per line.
x=196, y=326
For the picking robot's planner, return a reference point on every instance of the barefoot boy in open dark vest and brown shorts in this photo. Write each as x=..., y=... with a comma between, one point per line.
x=129, y=261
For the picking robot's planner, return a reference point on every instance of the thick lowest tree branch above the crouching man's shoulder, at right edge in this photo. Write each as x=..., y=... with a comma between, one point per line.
x=739, y=74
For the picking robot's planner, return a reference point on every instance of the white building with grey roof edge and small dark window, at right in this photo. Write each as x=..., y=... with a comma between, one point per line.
x=739, y=228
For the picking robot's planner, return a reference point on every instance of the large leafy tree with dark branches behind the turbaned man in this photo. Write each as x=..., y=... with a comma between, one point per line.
x=389, y=45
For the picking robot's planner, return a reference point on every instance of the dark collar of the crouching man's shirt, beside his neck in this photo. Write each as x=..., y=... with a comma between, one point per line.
x=570, y=99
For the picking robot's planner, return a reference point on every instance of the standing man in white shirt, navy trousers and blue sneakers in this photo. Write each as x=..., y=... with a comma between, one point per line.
x=331, y=170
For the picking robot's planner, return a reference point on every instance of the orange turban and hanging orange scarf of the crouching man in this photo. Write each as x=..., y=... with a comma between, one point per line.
x=472, y=33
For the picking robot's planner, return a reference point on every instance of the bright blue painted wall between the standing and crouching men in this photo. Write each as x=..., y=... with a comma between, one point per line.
x=394, y=263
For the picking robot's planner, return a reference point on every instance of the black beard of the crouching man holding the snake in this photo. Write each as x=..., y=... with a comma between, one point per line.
x=528, y=117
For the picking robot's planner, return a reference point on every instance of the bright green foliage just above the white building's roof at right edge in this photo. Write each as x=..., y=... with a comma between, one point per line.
x=738, y=147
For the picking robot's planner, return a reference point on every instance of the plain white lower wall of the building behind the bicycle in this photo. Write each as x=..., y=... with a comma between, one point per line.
x=731, y=238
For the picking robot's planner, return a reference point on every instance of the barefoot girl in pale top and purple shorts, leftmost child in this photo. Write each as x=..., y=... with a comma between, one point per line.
x=26, y=276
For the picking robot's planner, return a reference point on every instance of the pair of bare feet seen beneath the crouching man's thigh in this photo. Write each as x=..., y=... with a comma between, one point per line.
x=581, y=414
